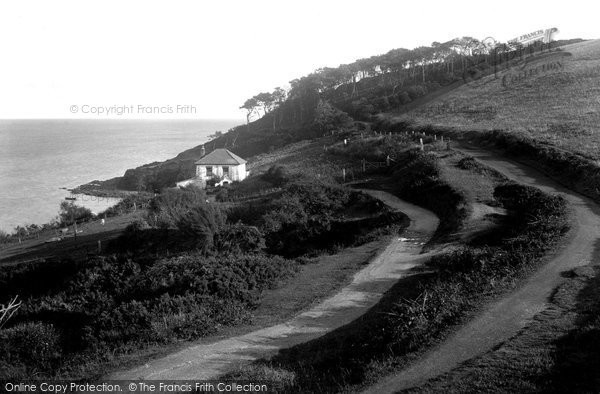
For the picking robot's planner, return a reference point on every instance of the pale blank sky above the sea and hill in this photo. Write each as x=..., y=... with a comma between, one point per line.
x=203, y=59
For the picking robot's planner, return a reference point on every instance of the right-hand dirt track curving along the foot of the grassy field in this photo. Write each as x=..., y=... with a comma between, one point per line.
x=503, y=319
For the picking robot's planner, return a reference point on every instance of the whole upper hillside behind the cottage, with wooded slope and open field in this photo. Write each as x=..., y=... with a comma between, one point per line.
x=549, y=94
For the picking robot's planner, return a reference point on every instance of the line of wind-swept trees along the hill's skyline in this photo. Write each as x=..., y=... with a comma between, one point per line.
x=400, y=76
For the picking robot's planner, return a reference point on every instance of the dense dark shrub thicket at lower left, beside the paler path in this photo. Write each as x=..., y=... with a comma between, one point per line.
x=114, y=304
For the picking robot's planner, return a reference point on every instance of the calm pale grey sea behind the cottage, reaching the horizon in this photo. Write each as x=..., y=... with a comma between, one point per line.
x=40, y=159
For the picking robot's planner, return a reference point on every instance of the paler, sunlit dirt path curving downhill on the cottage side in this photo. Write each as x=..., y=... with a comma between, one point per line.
x=206, y=361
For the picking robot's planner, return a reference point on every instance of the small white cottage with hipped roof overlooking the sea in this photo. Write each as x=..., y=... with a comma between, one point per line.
x=222, y=165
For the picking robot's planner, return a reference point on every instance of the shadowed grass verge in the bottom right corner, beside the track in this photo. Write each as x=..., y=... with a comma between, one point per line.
x=557, y=353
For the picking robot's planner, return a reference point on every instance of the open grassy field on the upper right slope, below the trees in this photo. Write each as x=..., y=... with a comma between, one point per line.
x=552, y=97
